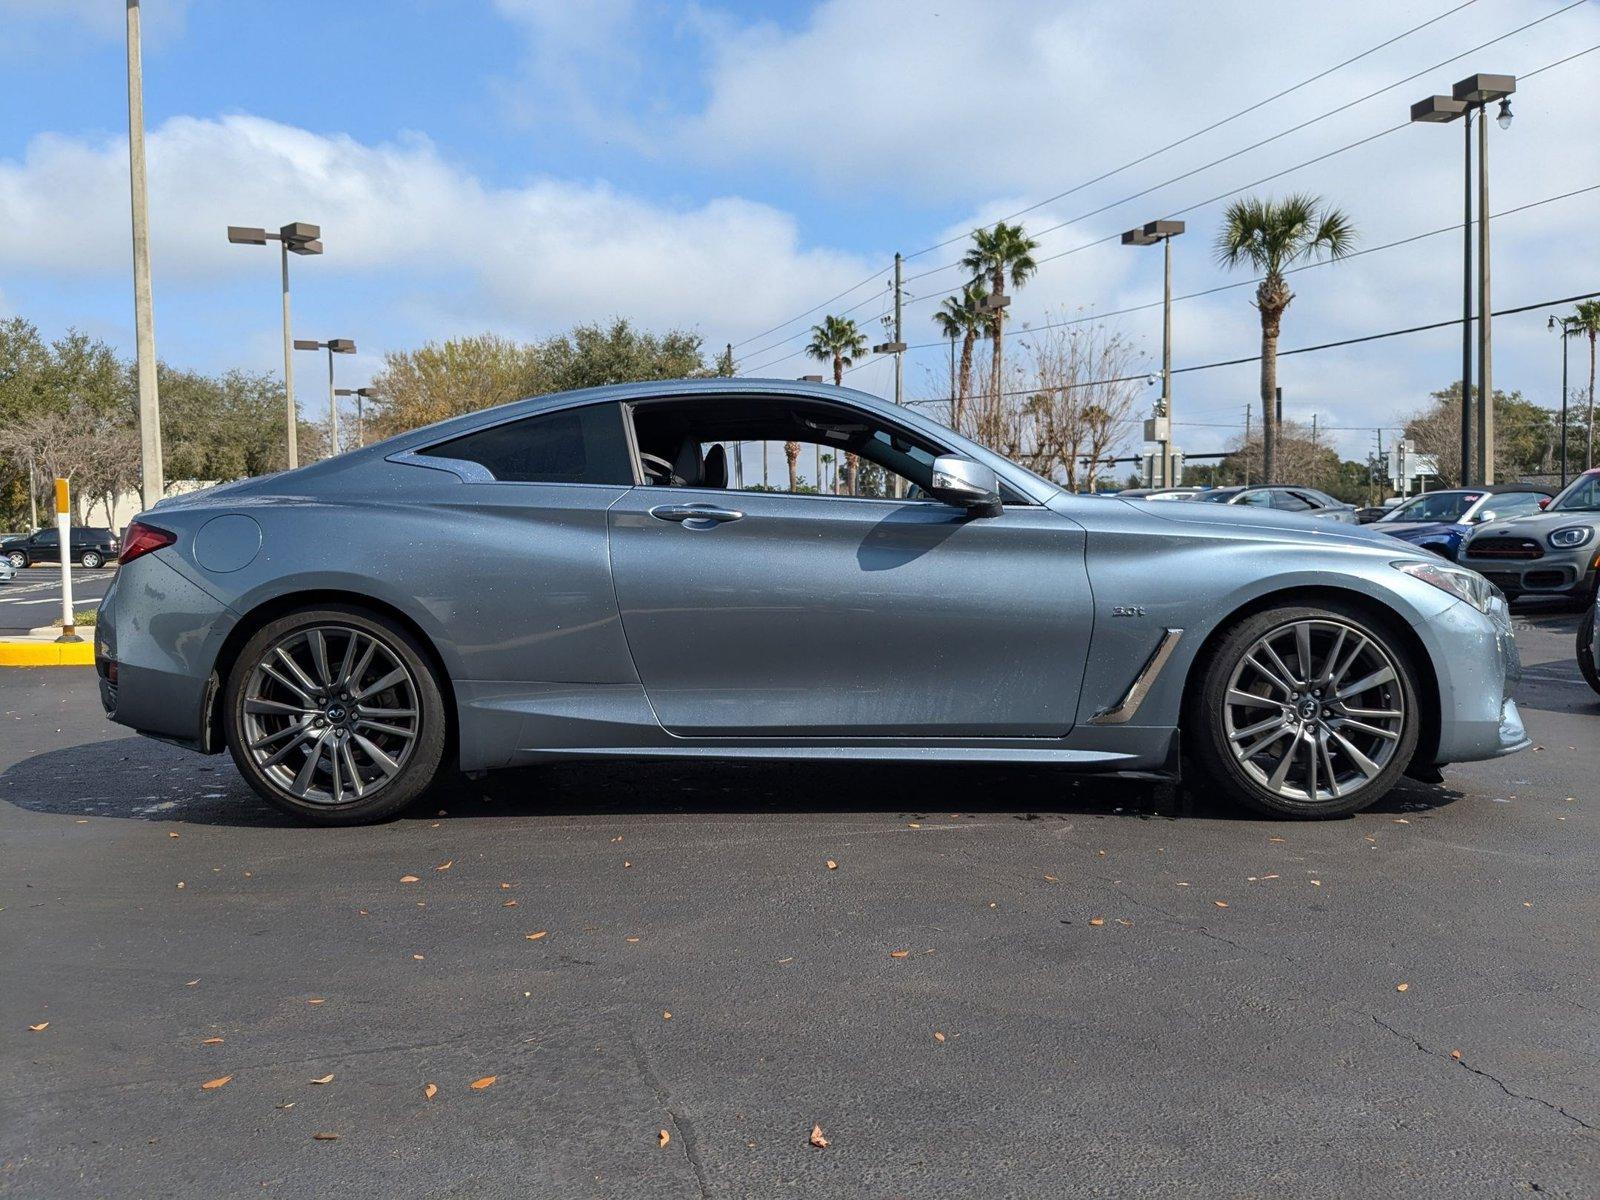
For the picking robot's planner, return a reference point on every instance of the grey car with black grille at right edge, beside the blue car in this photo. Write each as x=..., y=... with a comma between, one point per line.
x=1554, y=553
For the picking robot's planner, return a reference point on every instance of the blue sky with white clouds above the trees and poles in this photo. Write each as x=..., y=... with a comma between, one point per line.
x=521, y=166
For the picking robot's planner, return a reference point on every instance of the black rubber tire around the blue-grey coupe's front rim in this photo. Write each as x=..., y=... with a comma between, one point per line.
x=1207, y=735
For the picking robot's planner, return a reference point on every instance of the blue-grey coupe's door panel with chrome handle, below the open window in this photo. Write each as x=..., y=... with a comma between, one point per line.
x=822, y=615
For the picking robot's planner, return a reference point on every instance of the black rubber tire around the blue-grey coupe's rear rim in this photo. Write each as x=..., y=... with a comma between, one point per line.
x=417, y=769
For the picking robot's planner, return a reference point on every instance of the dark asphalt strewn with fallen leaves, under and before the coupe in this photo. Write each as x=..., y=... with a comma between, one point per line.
x=975, y=982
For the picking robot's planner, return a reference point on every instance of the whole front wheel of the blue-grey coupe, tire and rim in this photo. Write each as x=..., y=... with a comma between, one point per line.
x=1306, y=713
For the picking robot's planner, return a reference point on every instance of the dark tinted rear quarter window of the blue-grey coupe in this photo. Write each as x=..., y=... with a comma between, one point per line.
x=575, y=446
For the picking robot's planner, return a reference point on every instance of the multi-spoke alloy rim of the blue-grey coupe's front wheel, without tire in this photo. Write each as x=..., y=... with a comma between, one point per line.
x=1314, y=711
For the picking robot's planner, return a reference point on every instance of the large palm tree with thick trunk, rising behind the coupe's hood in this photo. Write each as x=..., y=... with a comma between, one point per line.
x=1273, y=236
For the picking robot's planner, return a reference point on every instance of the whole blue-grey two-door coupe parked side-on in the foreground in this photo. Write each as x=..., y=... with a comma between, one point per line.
x=583, y=577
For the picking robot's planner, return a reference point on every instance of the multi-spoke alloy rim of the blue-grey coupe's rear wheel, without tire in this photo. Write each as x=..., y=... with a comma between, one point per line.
x=330, y=714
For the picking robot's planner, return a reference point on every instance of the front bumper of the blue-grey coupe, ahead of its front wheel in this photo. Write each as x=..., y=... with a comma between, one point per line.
x=1478, y=666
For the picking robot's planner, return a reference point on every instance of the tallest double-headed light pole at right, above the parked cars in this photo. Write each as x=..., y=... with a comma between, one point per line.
x=1471, y=95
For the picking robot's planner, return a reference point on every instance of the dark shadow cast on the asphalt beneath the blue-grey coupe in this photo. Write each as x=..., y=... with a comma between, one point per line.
x=146, y=782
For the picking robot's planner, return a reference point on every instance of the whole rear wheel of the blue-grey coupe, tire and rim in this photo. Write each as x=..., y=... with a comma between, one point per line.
x=335, y=716
